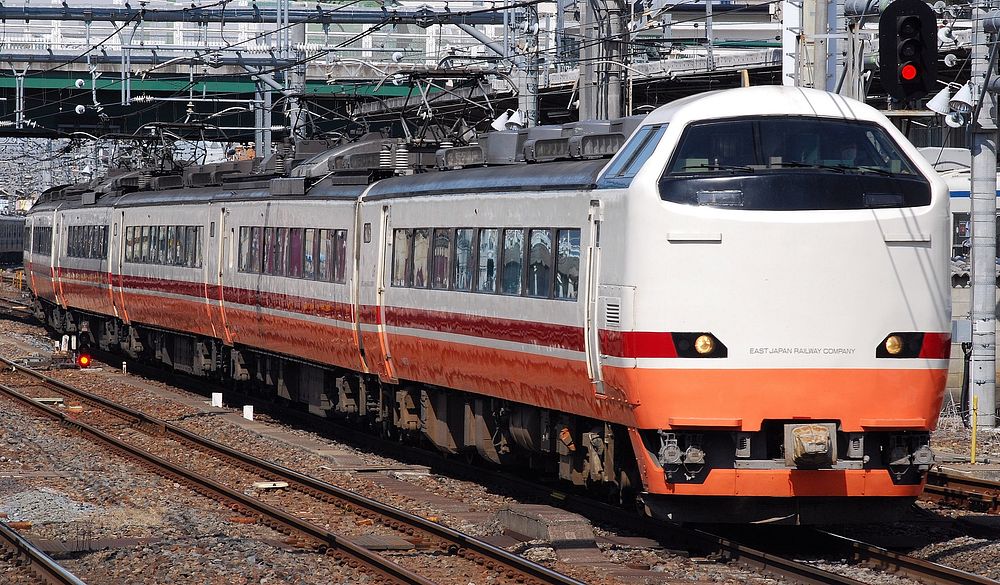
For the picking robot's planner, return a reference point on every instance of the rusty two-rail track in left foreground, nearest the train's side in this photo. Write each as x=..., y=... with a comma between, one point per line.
x=424, y=533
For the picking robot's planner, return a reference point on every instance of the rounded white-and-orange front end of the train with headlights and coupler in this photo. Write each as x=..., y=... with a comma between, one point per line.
x=784, y=329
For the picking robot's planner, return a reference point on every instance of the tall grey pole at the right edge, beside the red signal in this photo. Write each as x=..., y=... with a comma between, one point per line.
x=984, y=208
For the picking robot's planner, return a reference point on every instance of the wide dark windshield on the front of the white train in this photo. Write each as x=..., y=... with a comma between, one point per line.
x=790, y=163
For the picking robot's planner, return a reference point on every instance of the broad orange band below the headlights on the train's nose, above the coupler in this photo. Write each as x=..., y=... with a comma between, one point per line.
x=860, y=399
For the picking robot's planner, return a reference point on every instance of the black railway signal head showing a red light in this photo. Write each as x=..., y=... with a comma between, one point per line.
x=907, y=55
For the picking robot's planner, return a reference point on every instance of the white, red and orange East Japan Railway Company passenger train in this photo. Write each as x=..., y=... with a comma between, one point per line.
x=734, y=309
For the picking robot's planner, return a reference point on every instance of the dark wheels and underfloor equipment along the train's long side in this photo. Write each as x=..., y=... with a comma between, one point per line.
x=587, y=453
